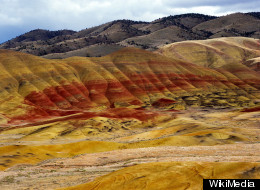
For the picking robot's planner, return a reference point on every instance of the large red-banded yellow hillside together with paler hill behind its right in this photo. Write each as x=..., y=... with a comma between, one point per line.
x=33, y=88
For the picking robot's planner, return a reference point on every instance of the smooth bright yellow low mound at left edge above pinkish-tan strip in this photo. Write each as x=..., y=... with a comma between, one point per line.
x=21, y=154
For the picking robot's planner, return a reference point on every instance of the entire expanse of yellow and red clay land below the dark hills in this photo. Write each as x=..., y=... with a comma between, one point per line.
x=187, y=111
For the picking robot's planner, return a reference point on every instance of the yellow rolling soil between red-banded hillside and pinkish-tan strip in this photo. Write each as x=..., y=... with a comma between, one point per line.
x=32, y=145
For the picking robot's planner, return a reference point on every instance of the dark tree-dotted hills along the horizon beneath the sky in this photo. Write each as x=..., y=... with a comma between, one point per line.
x=109, y=37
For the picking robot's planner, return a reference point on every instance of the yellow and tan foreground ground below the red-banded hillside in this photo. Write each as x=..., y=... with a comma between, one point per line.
x=189, y=145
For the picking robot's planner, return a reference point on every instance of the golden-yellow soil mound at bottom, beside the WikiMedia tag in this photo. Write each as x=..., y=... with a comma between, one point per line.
x=170, y=175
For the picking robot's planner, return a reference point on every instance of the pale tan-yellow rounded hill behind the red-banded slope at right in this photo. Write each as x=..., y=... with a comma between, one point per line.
x=214, y=53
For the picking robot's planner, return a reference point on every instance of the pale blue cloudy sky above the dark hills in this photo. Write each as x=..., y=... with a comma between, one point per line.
x=21, y=16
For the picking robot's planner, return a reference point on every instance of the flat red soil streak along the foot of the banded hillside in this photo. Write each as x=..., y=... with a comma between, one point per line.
x=34, y=118
